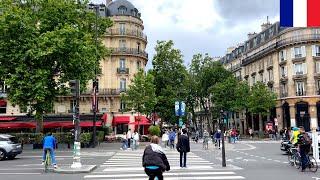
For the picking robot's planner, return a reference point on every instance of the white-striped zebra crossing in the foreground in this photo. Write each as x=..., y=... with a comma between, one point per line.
x=127, y=165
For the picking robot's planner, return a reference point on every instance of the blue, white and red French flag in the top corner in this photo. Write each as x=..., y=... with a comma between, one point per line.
x=300, y=13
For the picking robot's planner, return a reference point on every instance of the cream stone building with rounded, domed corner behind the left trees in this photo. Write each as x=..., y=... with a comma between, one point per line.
x=127, y=43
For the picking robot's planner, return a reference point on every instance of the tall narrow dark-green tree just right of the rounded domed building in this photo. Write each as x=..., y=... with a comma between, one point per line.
x=169, y=77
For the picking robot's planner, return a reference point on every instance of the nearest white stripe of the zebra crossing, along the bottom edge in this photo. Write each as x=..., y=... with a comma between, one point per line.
x=165, y=174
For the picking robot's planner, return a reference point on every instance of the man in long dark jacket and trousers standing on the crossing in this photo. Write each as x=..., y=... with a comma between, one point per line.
x=183, y=147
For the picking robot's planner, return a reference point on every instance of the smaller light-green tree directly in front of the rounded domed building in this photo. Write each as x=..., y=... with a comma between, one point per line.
x=140, y=95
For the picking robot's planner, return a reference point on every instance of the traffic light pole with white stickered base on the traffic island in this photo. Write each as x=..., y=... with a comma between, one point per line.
x=75, y=90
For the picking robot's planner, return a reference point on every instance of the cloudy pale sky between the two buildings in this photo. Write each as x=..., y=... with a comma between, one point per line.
x=202, y=26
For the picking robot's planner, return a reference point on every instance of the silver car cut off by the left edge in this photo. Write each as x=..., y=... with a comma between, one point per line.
x=9, y=147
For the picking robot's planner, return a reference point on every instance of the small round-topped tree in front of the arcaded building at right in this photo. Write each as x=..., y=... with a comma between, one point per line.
x=261, y=100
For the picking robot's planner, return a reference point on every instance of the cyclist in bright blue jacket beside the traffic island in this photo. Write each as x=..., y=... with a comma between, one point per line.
x=49, y=144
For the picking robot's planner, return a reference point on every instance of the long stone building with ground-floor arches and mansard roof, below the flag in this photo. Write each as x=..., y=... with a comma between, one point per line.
x=287, y=60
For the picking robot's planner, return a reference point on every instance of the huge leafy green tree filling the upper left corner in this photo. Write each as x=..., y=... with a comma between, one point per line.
x=44, y=44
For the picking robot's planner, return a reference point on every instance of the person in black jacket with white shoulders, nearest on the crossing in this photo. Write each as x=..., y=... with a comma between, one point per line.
x=154, y=160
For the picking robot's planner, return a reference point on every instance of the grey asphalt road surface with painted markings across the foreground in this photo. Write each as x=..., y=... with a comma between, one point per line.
x=261, y=160
